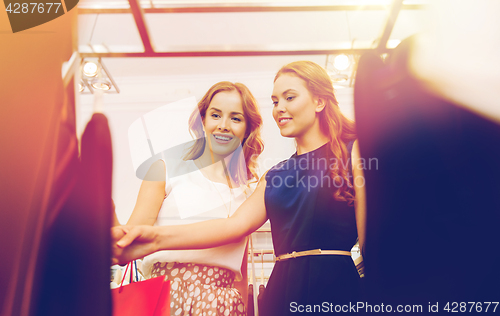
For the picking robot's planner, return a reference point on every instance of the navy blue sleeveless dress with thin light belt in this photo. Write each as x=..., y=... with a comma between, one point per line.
x=305, y=216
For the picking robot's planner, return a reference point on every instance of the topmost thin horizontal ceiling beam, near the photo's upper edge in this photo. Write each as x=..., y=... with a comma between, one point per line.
x=244, y=8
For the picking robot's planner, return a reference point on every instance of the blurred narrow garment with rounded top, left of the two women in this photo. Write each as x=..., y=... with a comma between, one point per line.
x=73, y=270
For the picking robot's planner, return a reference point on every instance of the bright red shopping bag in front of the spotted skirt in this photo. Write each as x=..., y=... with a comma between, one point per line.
x=145, y=298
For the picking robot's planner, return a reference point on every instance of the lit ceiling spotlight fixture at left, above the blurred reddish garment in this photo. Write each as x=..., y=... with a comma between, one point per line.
x=95, y=76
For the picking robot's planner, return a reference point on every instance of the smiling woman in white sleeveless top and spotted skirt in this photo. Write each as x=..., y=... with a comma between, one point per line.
x=211, y=180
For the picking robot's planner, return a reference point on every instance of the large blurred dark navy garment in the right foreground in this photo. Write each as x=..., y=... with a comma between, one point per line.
x=433, y=202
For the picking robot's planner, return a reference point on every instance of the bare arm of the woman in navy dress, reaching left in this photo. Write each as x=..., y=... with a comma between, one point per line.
x=138, y=241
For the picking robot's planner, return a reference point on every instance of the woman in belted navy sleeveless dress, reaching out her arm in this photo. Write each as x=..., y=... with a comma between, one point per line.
x=315, y=202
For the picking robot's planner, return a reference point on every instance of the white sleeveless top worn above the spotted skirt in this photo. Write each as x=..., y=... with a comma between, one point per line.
x=192, y=198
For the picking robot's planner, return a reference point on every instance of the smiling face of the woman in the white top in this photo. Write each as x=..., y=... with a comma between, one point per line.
x=224, y=123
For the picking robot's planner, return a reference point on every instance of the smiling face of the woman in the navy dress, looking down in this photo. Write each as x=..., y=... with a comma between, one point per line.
x=294, y=107
